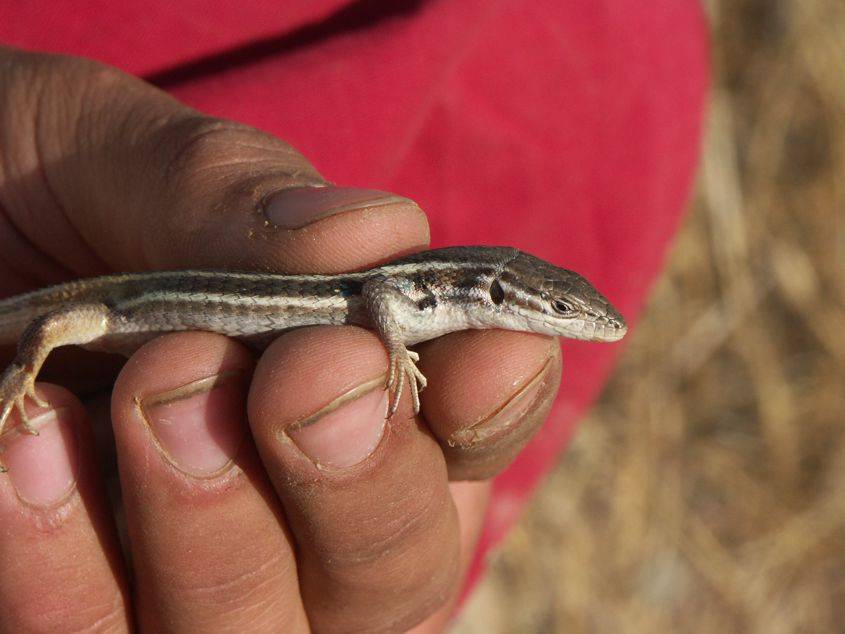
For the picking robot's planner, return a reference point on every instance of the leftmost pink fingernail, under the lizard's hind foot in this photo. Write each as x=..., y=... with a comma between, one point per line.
x=43, y=468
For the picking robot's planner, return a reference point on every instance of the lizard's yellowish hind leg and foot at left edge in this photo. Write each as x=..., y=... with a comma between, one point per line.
x=71, y=325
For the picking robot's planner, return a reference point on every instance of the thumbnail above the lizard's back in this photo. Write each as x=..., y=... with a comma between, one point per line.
x=299, y=206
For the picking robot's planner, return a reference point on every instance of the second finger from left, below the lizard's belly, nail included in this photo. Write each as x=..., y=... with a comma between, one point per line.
x=209, y=546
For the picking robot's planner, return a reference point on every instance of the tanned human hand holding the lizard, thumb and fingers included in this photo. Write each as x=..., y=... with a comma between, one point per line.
x=260, y=494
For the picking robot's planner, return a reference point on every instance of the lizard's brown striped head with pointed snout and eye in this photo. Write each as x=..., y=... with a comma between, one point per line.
x=554, y=301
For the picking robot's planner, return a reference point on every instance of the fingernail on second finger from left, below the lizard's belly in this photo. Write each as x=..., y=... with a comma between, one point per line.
x=199, y=427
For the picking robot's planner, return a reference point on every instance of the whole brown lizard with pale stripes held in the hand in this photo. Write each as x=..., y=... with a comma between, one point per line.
x=407, y=301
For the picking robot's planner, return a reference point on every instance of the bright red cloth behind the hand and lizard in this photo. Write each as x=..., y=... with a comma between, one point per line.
x=568, y=129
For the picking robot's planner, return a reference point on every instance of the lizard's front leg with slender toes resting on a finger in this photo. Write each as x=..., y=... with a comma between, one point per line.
x=385, y=300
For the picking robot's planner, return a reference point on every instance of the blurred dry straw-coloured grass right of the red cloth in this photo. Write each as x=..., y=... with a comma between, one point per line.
x=706, y=490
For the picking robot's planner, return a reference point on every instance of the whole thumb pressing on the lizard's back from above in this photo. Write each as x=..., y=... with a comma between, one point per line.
x=101, y=171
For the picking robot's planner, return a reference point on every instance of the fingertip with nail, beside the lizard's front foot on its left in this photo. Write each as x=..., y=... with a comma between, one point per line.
x=331, y=412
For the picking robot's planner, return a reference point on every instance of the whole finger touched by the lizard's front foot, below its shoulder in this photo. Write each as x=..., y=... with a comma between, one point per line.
x=367, y=500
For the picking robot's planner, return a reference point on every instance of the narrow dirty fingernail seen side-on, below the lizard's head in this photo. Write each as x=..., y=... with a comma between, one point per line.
x=528, y=398
